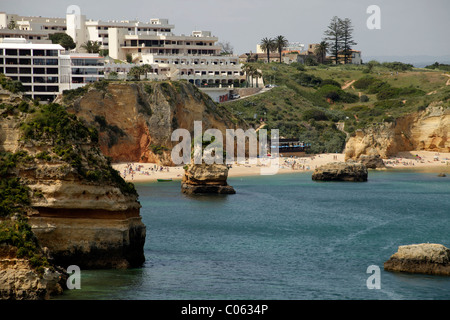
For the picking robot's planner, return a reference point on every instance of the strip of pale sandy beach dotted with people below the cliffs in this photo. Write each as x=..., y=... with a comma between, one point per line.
x=421, y=160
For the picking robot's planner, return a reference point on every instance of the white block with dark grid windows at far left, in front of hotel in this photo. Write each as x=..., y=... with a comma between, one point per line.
x=45, y=70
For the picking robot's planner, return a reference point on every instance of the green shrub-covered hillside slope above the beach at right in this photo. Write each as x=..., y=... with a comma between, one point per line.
x=288, y=106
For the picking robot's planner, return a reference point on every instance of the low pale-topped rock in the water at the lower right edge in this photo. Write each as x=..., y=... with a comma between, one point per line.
x=427, y=258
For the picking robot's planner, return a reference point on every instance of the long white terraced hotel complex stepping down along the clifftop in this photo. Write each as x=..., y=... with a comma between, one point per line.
x=196, y=57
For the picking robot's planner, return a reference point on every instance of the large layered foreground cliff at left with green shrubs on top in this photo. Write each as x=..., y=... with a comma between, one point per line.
x=79, y=208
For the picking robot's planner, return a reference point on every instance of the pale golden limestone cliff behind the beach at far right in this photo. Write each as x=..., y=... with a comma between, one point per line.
x=427, y=130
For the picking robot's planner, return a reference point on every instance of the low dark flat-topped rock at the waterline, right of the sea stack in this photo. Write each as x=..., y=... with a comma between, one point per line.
x=341, y=171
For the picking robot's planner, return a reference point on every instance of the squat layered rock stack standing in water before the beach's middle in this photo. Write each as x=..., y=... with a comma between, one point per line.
x=204, y=178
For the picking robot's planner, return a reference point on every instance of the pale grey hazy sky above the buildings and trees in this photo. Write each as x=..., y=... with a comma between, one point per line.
x=408, y=27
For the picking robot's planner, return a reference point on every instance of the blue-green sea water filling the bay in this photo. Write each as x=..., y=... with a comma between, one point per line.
x=283, y=237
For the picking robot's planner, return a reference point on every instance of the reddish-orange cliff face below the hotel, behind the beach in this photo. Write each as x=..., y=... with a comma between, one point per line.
x=136, y=120
